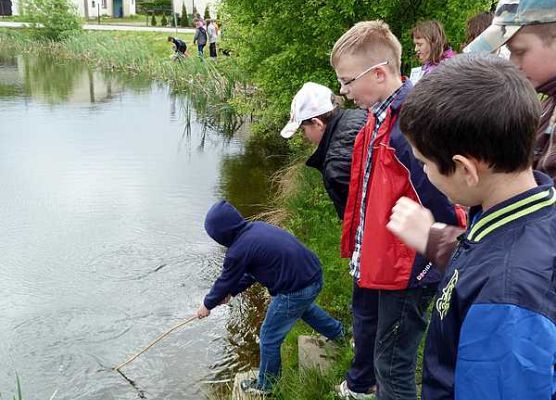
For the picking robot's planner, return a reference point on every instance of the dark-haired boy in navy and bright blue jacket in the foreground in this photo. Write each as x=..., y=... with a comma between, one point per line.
x=493, y=328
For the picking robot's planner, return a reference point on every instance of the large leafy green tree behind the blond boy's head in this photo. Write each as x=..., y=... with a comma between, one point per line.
x=282, y=44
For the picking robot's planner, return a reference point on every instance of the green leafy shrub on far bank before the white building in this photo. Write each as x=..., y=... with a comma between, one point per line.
x=58, y=18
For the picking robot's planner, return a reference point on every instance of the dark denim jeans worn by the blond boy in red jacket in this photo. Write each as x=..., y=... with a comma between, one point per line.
x=387, y=354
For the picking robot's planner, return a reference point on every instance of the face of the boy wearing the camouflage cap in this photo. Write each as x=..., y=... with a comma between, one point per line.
x=536, y=59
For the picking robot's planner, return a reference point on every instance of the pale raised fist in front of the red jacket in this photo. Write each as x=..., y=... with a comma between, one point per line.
x=411, y=223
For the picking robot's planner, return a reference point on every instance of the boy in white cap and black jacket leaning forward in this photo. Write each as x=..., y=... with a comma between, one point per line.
x=316, y=111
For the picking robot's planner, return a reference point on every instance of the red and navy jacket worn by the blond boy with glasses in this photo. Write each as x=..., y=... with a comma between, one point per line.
x=387, y=263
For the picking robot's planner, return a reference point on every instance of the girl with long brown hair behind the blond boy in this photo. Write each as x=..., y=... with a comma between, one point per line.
x=431, y=47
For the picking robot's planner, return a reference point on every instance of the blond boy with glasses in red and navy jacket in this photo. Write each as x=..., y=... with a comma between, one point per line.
x=392, y=285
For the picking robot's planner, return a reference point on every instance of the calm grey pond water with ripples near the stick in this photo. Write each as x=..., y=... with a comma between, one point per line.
x=104, y=192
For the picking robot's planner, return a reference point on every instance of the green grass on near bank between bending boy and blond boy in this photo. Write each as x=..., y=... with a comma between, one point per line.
x=303, y=207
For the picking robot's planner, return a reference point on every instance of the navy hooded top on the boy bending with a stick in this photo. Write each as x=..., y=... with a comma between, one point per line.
x=257, y=252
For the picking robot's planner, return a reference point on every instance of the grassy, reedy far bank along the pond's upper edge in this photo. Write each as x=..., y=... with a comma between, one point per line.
x=214, y=87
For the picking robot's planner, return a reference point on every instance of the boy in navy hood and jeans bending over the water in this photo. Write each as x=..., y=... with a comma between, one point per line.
x=260, y=252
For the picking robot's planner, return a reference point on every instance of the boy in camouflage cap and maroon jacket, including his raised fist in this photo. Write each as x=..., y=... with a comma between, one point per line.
x=528, y=29
